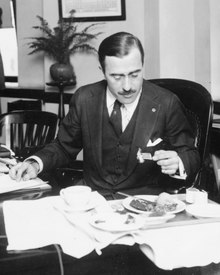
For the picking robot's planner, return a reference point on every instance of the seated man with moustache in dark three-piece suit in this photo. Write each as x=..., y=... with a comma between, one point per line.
x=151, y=144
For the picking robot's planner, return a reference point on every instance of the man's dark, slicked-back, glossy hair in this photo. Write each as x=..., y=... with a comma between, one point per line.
x=119, y=45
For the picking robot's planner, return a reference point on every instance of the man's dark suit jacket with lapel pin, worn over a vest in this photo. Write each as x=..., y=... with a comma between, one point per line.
x=160, y=115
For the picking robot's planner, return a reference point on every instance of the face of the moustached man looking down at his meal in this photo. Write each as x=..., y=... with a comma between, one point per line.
x=124, y=76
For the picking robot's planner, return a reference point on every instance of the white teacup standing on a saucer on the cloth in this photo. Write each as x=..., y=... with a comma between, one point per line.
x=76, y=196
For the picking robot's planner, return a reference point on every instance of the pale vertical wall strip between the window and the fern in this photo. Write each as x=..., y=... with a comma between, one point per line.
x=30, y=67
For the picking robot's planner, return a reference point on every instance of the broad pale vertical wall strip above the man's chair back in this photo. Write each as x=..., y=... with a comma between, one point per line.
x=176, y=39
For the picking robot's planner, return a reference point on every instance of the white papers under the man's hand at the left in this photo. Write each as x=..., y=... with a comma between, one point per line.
x=8, y=185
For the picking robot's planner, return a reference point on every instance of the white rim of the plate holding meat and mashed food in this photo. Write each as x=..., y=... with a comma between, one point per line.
x=126, y=203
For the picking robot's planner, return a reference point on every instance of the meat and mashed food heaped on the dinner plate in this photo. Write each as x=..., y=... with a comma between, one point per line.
x=163, y=204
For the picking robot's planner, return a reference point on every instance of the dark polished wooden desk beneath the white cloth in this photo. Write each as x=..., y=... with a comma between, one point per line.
x=115, y=259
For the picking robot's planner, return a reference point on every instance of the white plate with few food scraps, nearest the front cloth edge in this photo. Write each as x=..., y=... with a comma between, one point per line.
x=115, y=222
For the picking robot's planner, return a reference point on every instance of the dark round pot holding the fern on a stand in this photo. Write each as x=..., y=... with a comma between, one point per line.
x=62, y=72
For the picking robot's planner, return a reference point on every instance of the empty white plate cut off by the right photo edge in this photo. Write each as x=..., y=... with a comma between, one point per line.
x=207, y=210
